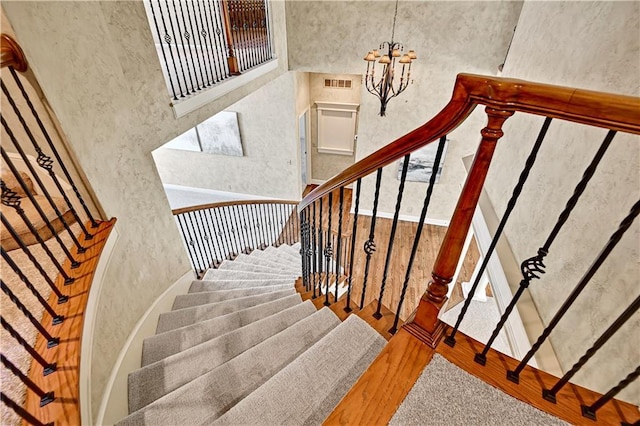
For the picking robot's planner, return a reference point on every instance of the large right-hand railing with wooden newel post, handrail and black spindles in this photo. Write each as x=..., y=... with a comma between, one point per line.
x=502, y=98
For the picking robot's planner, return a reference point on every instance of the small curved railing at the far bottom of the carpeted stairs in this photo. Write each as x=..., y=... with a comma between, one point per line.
x=221, y=231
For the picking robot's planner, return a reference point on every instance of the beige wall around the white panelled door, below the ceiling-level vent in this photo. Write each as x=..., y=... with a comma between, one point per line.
x=324, y=166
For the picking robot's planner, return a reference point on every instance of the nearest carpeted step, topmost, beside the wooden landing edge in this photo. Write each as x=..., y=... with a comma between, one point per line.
x=314, y=383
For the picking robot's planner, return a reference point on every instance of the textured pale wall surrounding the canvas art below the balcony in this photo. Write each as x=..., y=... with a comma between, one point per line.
x=269, y=167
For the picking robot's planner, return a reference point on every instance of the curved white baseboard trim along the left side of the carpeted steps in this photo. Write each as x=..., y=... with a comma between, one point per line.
x=114, y=404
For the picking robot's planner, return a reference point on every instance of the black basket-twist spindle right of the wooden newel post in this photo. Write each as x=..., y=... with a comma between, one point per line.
x=533, y=266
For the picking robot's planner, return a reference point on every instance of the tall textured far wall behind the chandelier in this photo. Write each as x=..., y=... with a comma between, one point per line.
x=449, y=38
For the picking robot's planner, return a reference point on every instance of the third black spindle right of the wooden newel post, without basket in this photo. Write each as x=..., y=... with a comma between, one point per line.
x=602, y=256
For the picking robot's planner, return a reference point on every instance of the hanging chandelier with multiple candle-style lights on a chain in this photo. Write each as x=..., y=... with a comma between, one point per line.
x=392, y=81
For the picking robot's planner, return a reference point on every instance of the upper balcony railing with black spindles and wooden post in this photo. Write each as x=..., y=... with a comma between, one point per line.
x=201, y=43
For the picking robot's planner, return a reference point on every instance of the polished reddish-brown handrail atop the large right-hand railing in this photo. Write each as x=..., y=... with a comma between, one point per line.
x=616, y=112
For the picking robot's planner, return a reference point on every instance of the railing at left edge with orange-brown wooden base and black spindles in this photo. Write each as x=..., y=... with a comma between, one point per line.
x=46, y=279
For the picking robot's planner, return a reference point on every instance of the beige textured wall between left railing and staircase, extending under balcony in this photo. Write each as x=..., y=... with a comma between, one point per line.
x=99, y=70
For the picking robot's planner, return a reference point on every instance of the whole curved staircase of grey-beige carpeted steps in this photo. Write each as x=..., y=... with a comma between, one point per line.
x=243, y=348
